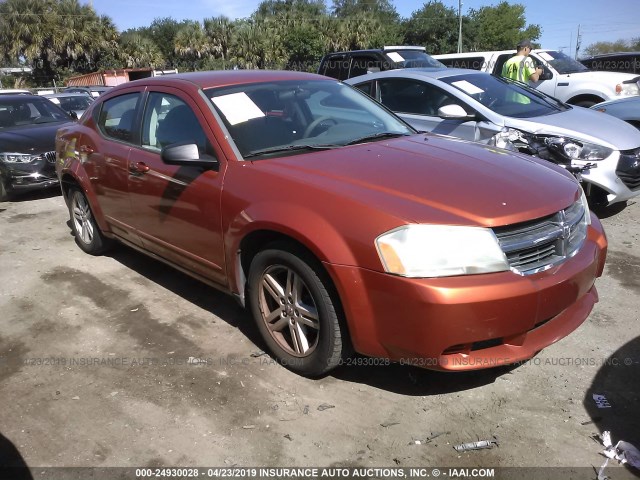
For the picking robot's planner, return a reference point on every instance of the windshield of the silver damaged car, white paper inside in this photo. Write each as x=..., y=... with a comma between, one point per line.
x=505, y=97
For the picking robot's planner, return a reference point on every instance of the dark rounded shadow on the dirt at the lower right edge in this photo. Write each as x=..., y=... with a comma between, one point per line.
x=617, y=407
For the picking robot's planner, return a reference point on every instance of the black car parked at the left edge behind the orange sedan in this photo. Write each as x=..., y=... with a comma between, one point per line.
x=28, y=125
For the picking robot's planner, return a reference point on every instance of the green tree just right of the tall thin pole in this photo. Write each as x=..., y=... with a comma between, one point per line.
x=500, y=27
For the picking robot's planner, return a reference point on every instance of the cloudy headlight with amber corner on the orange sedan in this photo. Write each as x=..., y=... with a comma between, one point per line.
x=440, y=251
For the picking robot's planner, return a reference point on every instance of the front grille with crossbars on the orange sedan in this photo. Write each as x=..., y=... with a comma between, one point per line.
x=537, y=245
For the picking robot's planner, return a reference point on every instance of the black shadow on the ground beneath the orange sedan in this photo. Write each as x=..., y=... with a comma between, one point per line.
x=378, y=373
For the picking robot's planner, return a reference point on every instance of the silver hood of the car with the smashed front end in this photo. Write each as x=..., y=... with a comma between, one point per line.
x=582, y=124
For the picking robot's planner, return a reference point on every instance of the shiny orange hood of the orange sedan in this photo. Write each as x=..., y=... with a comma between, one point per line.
x=432, y=179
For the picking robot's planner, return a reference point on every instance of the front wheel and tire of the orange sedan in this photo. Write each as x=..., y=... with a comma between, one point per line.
x=295, y=312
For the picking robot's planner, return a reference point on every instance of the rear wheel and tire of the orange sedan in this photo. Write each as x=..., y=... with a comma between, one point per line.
x=88, y=235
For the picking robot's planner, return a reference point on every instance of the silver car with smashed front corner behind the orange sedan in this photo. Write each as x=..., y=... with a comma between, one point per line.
x=601, y=151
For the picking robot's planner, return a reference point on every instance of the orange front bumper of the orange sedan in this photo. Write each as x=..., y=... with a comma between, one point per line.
x=470, y=322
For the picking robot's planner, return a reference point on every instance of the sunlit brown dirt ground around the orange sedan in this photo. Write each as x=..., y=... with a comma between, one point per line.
x=121, y=361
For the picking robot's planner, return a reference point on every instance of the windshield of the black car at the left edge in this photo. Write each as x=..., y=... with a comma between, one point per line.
x=28, y=110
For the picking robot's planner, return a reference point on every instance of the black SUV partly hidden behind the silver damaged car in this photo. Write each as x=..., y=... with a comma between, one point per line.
x=343, y=65
